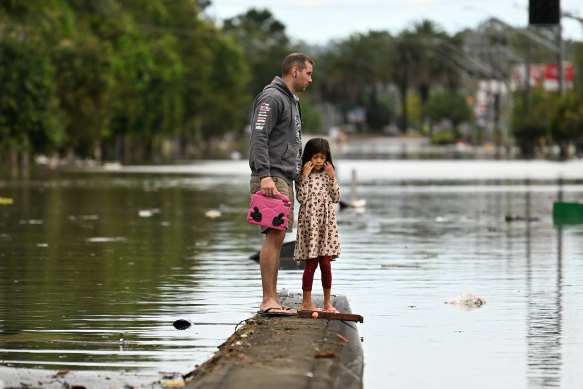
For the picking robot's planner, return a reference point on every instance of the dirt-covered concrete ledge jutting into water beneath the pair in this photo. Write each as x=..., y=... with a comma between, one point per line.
x=286, y=352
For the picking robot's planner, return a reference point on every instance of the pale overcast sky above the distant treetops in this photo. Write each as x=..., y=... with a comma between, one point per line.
x=318, y=21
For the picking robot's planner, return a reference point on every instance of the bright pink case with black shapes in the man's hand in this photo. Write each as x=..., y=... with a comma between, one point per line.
x=269, y=211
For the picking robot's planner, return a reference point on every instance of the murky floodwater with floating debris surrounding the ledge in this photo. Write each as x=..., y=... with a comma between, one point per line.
x=120, y=254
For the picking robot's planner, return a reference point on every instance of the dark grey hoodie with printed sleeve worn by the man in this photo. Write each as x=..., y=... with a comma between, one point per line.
x=275, y=146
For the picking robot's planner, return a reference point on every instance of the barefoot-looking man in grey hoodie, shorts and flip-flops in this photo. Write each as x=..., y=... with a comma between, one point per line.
x=275, y=160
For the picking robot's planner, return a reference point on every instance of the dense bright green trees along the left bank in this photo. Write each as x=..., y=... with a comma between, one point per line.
x=101, y=72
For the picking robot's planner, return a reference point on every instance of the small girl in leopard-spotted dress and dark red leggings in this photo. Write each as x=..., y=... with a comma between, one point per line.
x=317, y=240
